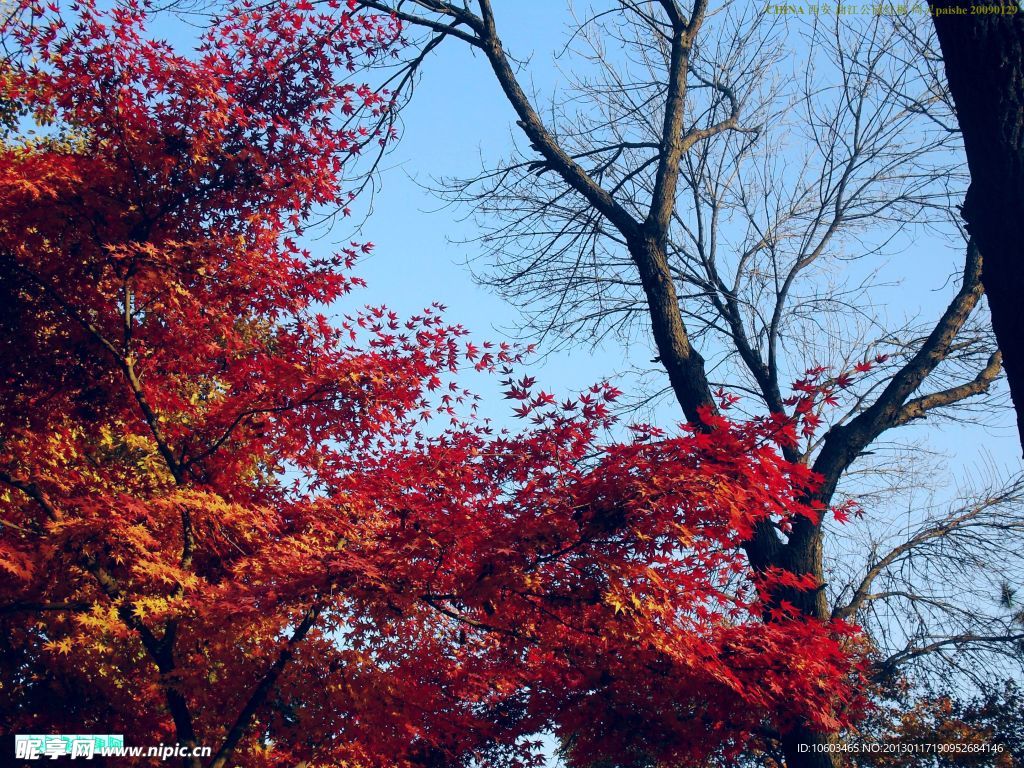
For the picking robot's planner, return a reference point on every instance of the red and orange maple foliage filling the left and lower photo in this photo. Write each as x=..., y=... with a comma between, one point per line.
x=232, y=522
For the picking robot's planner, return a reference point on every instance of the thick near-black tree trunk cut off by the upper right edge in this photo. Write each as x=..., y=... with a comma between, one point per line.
x=985, y=60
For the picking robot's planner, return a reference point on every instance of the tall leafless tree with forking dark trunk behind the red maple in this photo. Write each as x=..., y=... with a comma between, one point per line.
x=732, y=192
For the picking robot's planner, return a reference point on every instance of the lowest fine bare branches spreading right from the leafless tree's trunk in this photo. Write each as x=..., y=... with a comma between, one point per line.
x=938, y=585
